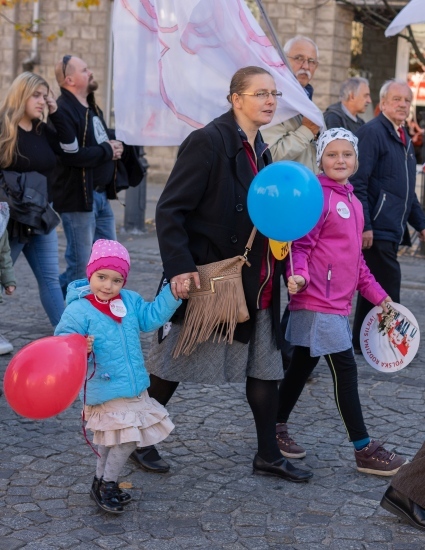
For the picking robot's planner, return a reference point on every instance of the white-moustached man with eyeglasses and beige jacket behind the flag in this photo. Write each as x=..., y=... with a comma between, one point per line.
x=294, y=139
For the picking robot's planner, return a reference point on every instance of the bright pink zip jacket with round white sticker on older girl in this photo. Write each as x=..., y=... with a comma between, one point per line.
x=330, y=256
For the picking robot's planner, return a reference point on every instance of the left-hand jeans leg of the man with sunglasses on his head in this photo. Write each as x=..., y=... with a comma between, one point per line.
x=79, y=229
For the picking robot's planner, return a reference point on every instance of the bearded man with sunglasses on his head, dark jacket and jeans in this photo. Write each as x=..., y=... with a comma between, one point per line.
x=85, y=181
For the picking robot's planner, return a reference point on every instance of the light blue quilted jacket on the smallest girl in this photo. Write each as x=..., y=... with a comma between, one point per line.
x=120, y=368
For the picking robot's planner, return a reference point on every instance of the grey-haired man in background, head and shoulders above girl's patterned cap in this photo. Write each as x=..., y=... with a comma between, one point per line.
x=354, y=98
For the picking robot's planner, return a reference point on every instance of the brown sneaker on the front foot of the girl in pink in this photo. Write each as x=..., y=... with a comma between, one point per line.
x=375, y=459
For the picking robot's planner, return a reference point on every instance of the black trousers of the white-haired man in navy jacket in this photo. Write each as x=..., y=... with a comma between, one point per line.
x=382, y=261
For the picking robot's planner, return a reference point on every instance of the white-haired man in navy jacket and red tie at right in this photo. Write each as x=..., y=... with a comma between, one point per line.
x=385, y=184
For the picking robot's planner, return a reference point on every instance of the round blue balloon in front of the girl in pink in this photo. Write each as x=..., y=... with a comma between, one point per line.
x=285, y=200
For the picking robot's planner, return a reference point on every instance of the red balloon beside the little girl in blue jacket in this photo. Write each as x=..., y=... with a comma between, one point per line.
x=44, y=377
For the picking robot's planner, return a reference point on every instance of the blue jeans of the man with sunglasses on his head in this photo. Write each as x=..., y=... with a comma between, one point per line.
x=82, y=229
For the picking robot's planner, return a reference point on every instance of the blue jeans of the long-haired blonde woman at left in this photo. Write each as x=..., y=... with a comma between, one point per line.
x=42, y=255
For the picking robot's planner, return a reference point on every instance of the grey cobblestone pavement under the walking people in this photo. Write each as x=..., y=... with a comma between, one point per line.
x=210, y=499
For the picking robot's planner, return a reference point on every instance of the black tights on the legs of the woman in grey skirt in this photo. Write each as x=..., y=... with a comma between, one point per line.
x=262, y=396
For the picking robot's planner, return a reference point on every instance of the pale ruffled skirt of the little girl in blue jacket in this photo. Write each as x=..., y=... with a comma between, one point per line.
x=140, y=419
